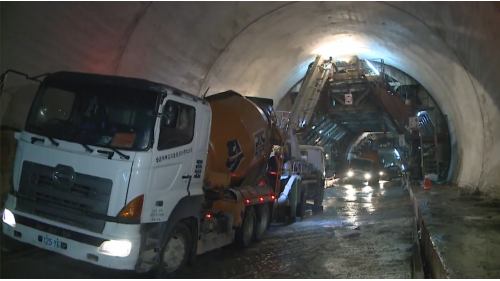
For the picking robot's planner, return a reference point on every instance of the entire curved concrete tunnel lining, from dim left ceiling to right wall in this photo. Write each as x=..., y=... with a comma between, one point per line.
x=263, y=49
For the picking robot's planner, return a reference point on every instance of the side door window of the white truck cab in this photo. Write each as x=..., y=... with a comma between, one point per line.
x=181, y=132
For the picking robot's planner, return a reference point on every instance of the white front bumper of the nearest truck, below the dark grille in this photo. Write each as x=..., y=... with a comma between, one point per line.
x=77, y=245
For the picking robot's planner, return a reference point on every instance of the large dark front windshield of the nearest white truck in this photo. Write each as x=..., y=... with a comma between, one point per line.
x=101, y=115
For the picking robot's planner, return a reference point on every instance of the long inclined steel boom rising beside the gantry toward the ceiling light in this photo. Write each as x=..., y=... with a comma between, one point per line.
x=309, y=93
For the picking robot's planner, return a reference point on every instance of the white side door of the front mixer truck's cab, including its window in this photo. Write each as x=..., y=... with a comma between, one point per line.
x=173, y=158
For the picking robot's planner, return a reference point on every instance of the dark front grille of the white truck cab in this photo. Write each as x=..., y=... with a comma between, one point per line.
x=72, y=204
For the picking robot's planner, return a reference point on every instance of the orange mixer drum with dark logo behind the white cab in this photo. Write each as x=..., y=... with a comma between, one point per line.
x=240, y=139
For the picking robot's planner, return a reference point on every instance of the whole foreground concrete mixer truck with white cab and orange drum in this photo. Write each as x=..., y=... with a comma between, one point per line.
x=129, y=174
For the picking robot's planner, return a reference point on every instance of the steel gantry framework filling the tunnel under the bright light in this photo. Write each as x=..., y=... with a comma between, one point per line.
x=366, y=105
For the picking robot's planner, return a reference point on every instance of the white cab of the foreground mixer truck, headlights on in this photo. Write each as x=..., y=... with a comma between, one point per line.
x=97, y=165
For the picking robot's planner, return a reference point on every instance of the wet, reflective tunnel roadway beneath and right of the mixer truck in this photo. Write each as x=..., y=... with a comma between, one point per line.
x=364, y=232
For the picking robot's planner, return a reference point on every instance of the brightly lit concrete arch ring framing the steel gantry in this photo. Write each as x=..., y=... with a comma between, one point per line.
x=383, y=22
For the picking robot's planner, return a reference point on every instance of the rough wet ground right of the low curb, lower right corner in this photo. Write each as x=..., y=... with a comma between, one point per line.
x=464, y=231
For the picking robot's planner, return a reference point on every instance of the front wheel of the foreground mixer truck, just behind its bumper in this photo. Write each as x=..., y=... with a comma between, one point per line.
x=175, y=251
